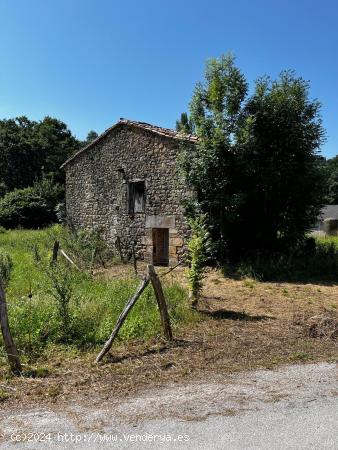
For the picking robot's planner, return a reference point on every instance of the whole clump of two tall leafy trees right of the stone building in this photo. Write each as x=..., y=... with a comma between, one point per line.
x=255, y=168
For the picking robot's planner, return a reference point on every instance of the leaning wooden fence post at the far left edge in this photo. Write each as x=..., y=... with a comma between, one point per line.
x=10, y=348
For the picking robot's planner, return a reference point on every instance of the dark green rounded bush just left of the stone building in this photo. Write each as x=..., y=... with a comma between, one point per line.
x=30, y=207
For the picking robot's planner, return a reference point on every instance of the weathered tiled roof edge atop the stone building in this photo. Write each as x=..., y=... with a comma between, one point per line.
x=167, y=132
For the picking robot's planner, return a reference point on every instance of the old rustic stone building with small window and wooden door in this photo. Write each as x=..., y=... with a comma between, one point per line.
x=126, y=184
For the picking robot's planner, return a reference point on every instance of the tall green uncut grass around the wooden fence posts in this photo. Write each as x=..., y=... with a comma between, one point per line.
x=94, y=304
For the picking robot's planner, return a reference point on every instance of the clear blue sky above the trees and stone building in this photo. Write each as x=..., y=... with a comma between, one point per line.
x=90, y=62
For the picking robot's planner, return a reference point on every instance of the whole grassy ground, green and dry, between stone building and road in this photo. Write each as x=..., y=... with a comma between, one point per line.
x=241, y=324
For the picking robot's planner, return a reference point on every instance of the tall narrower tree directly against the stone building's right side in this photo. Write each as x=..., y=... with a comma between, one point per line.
x=214, y=168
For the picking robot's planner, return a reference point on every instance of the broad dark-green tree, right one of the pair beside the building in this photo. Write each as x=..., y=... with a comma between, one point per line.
x=279, y=141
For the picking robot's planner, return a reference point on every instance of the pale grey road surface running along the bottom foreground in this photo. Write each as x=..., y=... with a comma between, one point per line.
x=294, y=407
